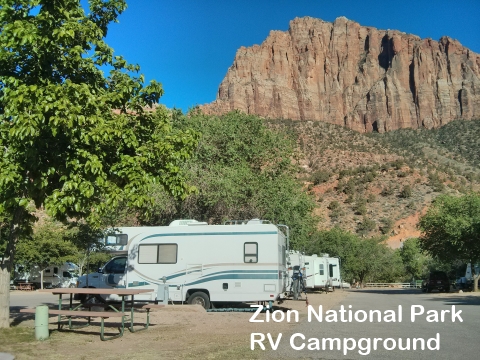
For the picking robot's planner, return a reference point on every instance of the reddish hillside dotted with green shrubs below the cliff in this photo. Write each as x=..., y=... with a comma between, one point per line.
x=381, y=183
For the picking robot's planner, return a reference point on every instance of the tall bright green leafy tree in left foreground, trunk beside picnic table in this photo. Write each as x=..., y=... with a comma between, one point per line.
x=73, y=140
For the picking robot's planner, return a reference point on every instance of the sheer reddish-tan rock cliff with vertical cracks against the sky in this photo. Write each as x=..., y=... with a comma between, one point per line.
x=359, y=77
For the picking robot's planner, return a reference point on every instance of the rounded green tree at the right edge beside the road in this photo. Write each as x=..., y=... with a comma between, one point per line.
x=451, y=229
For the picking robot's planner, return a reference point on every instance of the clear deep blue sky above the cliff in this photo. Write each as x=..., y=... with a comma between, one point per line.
x=188, y=45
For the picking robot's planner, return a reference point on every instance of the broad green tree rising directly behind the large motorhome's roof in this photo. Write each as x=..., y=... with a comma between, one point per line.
x=242, y=170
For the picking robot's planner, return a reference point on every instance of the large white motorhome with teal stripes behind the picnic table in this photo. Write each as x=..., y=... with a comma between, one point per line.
x=199, y=263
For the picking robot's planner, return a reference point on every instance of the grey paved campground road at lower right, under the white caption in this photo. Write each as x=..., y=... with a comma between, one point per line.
x=457, y=339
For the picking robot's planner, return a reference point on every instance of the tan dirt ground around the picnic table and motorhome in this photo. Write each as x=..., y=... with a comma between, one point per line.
x=176, y=332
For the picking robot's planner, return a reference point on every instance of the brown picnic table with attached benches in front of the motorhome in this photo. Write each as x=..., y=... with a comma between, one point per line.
x=91, y=293
